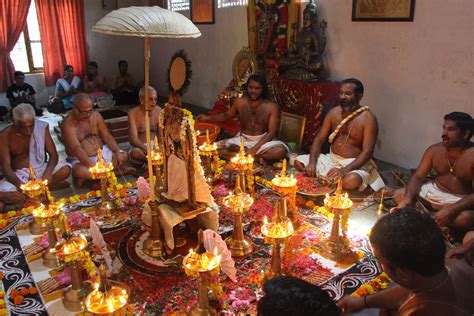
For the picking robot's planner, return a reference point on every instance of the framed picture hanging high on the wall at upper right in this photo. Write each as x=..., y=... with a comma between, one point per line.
x=383, y=10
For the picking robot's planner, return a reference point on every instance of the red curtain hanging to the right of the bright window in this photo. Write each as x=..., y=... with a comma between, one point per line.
x=63, y=37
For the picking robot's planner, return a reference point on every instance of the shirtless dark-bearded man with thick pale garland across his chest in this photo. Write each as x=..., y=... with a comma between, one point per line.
x=354, y=132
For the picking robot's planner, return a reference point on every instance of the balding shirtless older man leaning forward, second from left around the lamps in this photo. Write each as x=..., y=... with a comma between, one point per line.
x=85, y=132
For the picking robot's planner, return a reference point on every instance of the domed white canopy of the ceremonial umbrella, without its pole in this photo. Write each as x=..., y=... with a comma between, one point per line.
x=146, y=22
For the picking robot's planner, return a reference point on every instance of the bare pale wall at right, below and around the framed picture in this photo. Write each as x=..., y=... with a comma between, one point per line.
x=413, y=72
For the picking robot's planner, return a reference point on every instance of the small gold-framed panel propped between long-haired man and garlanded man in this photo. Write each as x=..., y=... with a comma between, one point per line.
x=292, y=128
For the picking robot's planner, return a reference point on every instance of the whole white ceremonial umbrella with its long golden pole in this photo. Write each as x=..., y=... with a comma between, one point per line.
x=147, y=22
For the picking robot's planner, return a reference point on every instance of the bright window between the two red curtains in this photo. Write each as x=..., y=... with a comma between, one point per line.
x=27, y=55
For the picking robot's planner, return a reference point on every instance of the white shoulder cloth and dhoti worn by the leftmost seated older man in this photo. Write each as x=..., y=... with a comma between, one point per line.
x=36, y=157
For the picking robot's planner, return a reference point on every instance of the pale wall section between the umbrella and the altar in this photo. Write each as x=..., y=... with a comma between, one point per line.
x=211, y=55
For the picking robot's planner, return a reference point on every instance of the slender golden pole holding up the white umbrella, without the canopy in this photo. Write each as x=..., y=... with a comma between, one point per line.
x=147, y=116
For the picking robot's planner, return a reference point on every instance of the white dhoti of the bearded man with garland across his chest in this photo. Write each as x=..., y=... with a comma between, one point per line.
x=368, y=172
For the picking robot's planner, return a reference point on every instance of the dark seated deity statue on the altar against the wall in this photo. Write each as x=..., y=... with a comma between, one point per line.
x=305, y=61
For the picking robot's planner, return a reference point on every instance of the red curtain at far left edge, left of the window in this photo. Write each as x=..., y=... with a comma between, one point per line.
x=12, y=21
